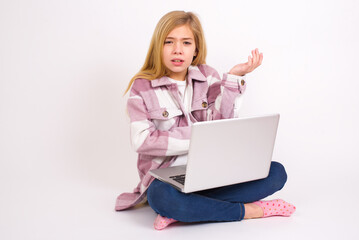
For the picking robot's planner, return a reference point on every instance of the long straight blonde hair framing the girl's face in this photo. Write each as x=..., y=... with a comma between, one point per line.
x=154, y=67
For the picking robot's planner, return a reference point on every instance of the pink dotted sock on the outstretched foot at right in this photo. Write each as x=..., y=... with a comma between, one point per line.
x=276, y=207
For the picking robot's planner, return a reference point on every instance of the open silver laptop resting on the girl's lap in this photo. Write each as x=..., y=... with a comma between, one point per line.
x=224, y=152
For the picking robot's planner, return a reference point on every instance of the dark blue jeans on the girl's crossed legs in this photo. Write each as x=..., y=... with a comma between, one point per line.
x=218, y=204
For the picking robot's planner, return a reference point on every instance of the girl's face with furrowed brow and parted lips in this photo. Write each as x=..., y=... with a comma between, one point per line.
x=178, y=51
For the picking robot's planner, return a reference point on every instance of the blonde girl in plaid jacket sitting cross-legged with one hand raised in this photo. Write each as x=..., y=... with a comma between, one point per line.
x=174, y=89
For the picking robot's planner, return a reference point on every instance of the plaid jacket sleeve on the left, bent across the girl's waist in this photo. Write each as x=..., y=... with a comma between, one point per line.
x=145, y=138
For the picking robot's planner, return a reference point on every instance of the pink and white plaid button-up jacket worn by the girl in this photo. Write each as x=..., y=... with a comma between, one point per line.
x=160, y=130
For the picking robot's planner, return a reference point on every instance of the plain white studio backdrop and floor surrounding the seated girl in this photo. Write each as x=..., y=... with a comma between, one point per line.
x=65, y=153
